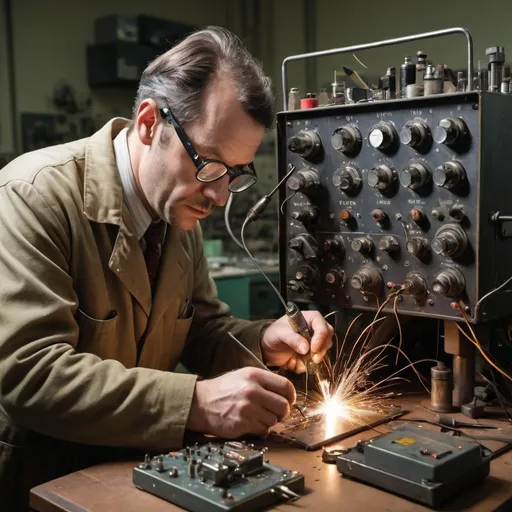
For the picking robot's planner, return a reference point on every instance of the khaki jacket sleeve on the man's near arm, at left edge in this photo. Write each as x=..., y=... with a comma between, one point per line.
x=45, y=384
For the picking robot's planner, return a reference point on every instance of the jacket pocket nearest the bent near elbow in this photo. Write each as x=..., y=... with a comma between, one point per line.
x=94, y=334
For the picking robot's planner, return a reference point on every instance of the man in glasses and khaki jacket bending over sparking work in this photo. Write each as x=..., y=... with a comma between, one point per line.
x=105, y=286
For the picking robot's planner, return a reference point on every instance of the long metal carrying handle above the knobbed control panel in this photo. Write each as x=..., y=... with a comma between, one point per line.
x=378, y=44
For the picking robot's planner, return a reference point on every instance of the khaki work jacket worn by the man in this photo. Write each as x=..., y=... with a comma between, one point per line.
x=86, y=355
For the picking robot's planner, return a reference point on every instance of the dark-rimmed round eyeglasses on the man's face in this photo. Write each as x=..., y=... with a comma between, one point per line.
x=210, y=169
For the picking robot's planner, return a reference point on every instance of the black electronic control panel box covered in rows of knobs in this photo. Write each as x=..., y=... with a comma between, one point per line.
x=400, y=193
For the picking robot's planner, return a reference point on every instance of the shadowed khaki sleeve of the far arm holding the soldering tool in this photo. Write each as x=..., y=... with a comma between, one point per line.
x=209, y=350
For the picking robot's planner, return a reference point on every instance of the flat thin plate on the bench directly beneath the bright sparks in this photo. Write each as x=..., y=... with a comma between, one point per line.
x=313, y=432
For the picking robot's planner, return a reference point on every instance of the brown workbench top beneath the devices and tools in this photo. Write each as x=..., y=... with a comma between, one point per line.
x=108, y=487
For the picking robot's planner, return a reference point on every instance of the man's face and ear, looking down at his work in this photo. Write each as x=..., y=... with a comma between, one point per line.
x=165, y=173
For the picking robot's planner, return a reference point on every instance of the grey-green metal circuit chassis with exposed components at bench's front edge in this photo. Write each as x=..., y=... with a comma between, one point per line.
x=230, y=476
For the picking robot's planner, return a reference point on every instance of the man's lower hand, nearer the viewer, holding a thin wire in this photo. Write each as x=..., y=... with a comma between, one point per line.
x=246, y=401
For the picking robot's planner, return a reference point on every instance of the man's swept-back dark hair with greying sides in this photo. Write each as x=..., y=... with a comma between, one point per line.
x=178, y=78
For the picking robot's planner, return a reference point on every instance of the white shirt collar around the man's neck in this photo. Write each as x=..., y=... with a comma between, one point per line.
x=140, y=215
